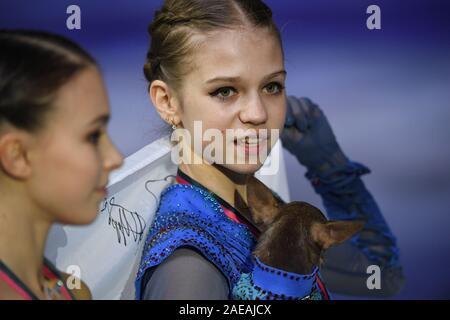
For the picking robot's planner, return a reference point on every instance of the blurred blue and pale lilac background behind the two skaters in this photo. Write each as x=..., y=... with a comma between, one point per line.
x=385, y=92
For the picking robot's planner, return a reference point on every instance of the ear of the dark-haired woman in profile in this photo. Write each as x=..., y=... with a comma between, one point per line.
x=13, y=155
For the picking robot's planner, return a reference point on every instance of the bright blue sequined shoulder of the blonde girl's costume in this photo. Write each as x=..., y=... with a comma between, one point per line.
x=188, y=216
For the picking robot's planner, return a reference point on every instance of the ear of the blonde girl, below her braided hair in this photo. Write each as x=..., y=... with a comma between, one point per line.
x=165, y=102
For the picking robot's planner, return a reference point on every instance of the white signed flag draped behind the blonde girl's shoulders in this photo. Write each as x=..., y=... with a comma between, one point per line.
x=108, y=251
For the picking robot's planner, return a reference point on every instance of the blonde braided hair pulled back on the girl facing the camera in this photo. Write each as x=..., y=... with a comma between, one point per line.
x=175, y=25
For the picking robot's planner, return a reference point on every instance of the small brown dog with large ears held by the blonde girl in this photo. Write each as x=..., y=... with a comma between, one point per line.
x=294, y=235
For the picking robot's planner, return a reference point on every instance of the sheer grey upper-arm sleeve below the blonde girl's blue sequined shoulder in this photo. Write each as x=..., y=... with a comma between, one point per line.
x=185, y=275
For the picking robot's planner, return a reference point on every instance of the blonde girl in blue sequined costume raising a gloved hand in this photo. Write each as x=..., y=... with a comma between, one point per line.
x=222, y=63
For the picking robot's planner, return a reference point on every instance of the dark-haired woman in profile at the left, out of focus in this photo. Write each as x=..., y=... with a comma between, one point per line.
x=55, y=156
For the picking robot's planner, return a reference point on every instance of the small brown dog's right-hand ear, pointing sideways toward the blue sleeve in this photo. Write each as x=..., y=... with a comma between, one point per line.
x=334, y=232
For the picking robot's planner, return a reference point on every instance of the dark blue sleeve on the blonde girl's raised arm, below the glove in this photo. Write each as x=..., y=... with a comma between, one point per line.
x=345, y=197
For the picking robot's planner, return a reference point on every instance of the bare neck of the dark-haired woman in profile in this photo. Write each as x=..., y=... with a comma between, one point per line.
x=22, y=240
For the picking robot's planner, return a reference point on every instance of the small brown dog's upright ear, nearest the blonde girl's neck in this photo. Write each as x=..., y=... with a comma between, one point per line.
x=263, y=205
